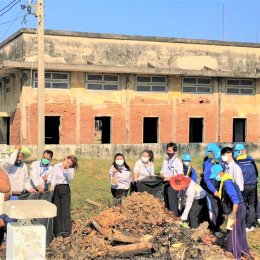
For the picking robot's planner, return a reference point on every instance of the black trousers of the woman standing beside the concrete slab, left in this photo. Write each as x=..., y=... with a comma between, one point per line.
x=62, y=200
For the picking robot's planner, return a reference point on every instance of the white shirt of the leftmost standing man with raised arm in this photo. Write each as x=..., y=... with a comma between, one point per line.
x=18, y=175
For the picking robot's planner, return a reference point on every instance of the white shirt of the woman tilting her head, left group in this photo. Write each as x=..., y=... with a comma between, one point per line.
x=61, y=176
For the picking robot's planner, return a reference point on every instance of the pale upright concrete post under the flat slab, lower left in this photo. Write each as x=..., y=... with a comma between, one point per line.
x=24, y=241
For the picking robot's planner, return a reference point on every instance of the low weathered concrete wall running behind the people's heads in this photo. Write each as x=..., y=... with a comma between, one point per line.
x=132, y=150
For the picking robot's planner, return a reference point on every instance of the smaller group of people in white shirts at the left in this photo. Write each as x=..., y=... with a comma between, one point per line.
x=42, y=178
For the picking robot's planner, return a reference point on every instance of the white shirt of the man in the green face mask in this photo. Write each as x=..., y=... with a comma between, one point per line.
x=37, y=171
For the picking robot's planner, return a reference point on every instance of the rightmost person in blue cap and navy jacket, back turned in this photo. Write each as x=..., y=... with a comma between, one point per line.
x=250, y=174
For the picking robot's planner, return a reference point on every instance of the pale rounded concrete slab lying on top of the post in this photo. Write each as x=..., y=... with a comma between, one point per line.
x=29, y=209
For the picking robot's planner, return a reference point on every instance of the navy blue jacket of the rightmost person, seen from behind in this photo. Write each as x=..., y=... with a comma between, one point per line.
x=249, y=170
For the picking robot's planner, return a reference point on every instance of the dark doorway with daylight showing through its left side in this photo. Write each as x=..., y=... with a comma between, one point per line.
x=103, y=130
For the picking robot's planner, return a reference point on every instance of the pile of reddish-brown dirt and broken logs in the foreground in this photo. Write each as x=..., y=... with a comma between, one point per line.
x=140, y=226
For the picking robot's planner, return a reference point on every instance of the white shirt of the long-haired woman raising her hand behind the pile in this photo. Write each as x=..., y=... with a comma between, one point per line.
x=124, y=178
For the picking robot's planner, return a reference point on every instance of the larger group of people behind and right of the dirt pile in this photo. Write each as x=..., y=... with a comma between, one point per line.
x=226, y=194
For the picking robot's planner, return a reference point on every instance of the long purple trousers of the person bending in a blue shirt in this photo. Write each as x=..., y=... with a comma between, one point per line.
x=236, y=238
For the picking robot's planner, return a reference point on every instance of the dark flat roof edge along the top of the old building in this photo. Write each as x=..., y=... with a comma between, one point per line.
x=130, y=37
